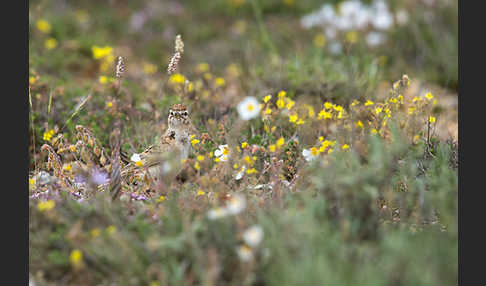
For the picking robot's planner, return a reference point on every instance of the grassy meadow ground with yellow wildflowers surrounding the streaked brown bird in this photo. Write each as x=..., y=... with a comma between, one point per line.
x=346, y=175
